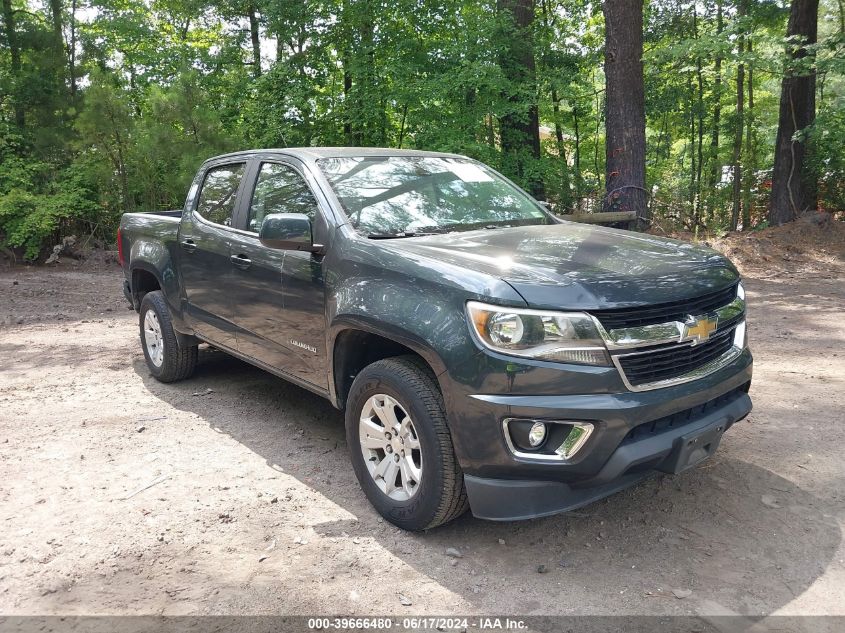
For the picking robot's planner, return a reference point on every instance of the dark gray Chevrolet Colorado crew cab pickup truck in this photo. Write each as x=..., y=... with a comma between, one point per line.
x=488, y=355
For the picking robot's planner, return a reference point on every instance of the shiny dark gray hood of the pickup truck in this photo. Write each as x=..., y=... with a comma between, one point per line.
x=581, y=266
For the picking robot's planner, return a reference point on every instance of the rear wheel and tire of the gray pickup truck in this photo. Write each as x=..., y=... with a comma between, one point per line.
x=166, y=360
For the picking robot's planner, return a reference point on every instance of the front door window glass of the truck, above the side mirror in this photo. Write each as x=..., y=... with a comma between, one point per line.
x=279, y=189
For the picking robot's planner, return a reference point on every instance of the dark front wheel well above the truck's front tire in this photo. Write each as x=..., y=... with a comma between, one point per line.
x=355, y=349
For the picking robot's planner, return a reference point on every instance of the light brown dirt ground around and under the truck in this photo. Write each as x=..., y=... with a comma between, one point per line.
x=231, y=493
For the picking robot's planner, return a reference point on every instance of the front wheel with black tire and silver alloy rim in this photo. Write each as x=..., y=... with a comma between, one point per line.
x=439, y=496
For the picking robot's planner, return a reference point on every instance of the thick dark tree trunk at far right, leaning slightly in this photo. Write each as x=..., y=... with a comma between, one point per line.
x=793, y=188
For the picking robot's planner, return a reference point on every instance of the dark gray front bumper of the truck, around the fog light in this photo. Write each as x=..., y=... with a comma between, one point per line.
x=636, y=434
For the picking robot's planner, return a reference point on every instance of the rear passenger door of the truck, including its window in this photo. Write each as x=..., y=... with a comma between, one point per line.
x=205, y=237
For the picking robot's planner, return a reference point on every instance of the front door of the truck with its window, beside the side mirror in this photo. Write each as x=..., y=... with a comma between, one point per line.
x=279, y=300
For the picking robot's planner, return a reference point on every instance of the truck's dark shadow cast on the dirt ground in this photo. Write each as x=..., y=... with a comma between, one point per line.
x=743, y=539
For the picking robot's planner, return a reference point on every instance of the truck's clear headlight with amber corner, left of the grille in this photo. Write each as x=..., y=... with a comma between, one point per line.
x=566, y=337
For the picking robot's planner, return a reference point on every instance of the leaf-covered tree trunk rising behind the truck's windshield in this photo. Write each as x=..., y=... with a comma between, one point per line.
x=519, y=128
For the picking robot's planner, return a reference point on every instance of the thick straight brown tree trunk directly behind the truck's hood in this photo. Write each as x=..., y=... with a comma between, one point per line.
x=625, y=109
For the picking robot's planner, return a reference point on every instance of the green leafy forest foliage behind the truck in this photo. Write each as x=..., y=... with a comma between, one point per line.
x=119, y=115
